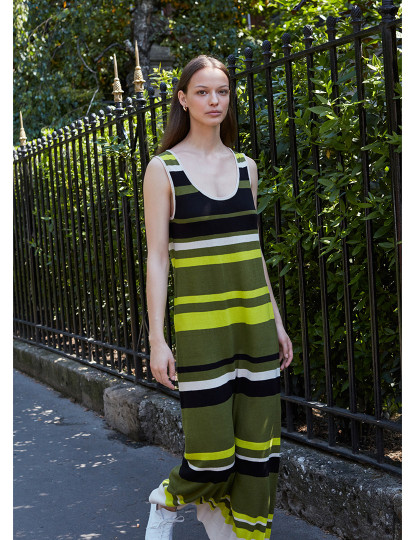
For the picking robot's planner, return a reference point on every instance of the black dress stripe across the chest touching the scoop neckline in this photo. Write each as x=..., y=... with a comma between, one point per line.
x=195, y=204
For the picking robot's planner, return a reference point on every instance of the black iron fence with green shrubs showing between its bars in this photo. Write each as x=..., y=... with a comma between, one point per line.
x=323, y=124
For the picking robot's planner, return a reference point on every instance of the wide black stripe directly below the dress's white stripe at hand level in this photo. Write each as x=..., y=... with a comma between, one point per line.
x=241, y=385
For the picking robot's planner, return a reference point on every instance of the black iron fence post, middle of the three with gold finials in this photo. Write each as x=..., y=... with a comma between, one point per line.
x=117, y=92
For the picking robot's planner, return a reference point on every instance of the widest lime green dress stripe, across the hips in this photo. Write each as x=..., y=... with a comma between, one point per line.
x=223, y=317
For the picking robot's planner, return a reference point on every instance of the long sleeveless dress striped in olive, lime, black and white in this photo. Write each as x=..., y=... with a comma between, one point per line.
x=227, y=360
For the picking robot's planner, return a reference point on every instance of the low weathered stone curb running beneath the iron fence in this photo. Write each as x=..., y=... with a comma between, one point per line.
x=347, y=499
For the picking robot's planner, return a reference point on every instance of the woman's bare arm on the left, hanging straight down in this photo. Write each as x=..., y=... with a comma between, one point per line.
x=157, y=212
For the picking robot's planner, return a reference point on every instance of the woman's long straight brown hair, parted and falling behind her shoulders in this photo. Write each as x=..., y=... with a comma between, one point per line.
x=178, y=125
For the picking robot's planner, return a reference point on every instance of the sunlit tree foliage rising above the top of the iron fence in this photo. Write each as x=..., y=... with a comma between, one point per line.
x=63, y=49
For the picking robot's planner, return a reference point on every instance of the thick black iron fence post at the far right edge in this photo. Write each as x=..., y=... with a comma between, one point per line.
x=394, y=123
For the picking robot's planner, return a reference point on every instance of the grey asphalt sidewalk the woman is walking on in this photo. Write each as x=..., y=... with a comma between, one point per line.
x=76, y=479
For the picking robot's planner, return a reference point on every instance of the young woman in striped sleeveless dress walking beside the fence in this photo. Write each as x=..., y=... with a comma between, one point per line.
x=200, y=205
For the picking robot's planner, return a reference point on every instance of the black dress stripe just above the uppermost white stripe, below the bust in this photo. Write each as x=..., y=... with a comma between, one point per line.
x=214, y=226
